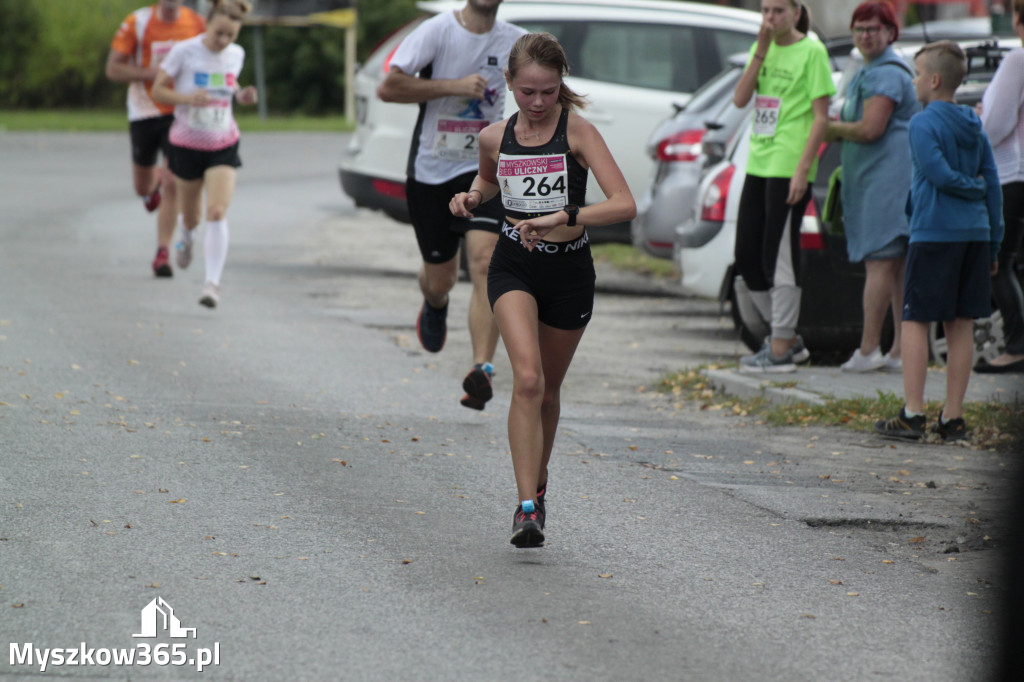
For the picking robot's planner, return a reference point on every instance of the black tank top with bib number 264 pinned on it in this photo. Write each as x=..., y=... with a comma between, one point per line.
x=538, y=181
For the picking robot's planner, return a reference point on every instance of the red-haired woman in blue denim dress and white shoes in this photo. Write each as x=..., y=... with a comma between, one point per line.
x=877, y=172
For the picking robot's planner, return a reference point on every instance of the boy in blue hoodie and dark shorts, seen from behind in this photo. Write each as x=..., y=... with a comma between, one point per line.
x=956, y=230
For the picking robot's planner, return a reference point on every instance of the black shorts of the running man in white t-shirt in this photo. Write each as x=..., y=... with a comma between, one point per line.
x=438, y=232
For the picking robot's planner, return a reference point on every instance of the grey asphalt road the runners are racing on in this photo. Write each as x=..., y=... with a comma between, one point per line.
x=294, y=476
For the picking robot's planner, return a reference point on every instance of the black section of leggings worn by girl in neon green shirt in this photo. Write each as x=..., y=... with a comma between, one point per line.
x=760, y=226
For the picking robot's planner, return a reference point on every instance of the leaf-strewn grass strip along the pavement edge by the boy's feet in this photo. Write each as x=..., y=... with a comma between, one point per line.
x=993, y=425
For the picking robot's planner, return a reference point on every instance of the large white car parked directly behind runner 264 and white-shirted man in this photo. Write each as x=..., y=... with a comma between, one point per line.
x=632, y=59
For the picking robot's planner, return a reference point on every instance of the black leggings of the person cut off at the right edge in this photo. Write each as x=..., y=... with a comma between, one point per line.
x=1006, y=287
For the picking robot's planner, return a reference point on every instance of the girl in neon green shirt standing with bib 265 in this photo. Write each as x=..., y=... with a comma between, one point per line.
x=790, y=77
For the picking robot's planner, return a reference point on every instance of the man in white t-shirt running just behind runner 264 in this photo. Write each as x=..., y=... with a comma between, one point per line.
x=460, y=58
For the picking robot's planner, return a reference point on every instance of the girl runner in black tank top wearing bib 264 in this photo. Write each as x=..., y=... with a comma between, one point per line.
x=542, y=273
